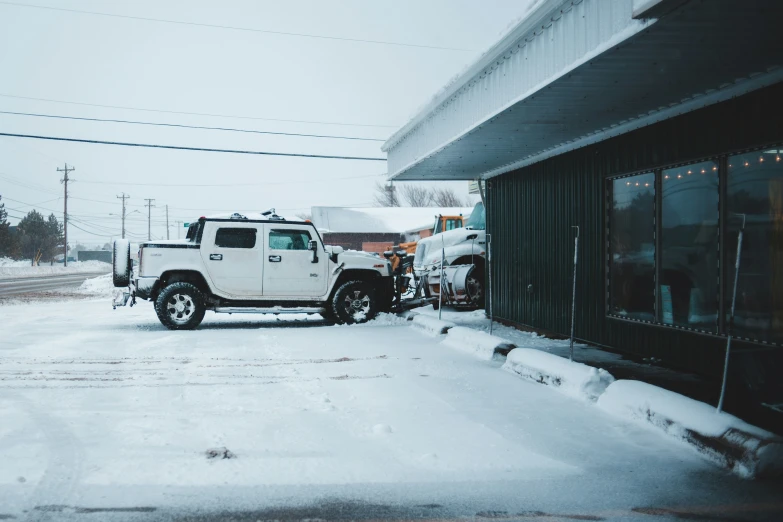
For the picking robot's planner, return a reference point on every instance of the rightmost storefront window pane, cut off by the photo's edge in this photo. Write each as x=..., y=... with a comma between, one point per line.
x=755, y=190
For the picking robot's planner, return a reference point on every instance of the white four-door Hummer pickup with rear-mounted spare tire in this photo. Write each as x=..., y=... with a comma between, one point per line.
x=252, y=263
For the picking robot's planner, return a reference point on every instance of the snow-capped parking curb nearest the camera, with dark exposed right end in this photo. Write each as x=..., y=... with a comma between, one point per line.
x=746, y=450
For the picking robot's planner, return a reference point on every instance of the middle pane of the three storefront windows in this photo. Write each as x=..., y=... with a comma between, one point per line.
x=688, y=286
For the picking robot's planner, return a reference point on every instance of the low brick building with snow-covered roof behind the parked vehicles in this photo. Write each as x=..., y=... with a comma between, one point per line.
x=375, y=229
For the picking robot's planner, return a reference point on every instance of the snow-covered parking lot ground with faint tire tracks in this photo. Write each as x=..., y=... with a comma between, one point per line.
x=107, y=415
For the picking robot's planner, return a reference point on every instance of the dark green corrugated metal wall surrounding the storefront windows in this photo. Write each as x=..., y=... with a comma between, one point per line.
x=531, y=210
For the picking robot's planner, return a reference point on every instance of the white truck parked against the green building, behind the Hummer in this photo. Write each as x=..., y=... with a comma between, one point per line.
x=463, y=251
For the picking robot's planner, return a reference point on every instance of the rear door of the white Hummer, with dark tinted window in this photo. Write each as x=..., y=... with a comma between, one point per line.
x=233, y=255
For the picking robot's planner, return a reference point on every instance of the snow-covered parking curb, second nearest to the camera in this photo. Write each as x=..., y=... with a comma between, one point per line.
x=575, y=379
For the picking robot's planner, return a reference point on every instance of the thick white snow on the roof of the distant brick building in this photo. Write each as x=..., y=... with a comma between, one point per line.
x=380, y=219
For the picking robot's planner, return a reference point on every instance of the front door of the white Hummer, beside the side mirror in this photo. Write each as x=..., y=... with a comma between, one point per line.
x=289, y=270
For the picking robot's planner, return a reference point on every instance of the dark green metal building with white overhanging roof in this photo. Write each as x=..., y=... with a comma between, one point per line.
x=656, y=127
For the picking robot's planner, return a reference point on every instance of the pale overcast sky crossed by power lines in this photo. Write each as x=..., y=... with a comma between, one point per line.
x=353, y=88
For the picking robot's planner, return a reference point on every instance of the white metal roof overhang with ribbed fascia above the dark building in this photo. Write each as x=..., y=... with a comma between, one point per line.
x=599, y=72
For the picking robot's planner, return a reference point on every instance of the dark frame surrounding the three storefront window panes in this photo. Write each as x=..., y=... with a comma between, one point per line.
x=723, y=256
